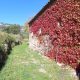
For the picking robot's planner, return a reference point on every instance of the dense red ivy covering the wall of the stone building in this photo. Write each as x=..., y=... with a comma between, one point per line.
x=61, y=21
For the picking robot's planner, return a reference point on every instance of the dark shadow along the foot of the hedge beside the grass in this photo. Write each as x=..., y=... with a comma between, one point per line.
x=4, y=54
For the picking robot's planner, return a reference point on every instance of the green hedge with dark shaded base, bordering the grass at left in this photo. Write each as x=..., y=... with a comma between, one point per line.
x=7, y=41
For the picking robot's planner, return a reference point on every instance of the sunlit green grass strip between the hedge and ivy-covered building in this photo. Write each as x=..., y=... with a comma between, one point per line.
x=26, y=64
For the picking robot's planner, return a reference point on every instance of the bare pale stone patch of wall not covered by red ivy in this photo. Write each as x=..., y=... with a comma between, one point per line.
x=40, y=43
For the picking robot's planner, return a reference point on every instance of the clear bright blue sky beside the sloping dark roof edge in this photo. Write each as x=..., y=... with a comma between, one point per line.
x=19, y=11
